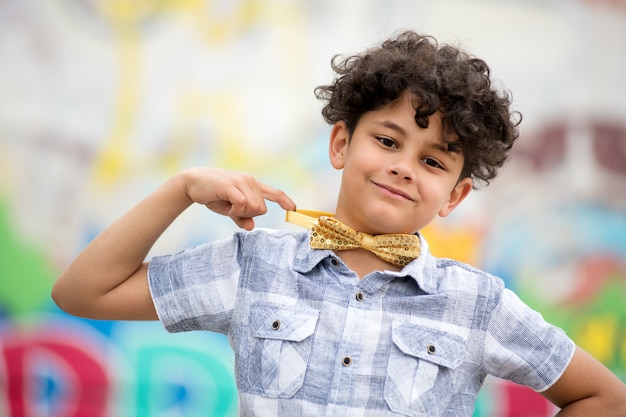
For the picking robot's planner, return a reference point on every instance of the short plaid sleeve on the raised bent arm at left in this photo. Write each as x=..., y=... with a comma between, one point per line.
x=195, y=289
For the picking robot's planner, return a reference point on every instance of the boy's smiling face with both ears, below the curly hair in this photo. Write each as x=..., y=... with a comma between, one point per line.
x=397, y=176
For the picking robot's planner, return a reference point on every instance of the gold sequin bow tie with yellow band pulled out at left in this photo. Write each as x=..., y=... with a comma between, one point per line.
x=329, y=233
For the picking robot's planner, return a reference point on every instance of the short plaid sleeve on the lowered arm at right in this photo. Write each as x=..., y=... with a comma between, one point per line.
x=522, y=347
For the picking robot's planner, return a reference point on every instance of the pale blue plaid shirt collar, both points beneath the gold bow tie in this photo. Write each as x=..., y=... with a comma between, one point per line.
x=421, y=269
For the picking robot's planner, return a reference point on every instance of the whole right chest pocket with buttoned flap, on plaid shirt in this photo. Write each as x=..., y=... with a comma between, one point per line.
x=420, y=368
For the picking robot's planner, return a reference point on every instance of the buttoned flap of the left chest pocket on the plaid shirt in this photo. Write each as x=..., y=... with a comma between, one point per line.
x=273, y=321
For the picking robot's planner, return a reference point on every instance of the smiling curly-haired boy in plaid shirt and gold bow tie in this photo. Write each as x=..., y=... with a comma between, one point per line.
x=339, y=331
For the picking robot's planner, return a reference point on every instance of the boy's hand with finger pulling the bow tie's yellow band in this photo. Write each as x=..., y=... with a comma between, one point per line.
x=234, y=194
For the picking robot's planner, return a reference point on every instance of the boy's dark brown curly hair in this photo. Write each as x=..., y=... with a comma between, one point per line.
x=476, y=117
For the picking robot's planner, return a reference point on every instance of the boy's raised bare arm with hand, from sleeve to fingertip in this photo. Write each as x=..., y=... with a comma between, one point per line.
x=108, y=280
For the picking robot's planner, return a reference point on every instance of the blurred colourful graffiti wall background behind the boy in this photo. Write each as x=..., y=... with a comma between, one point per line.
x=101, y=101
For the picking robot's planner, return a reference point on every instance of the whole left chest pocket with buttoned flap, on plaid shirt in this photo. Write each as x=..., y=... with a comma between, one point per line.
x=281, y=348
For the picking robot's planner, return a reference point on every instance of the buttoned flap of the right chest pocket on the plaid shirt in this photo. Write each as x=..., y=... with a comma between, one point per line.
x=432, y=345
